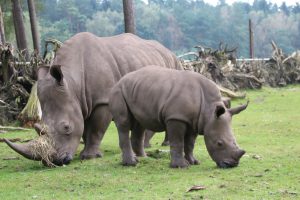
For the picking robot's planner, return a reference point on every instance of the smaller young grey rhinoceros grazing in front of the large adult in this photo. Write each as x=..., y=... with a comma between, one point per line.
x=182, y=103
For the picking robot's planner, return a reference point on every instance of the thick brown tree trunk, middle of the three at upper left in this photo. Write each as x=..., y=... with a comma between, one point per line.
x=20, y=28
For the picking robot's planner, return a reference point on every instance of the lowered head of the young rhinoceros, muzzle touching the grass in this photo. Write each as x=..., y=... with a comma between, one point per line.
x=219, y=139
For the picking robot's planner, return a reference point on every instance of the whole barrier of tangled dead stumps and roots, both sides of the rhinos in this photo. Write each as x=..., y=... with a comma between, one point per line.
x=18, y=98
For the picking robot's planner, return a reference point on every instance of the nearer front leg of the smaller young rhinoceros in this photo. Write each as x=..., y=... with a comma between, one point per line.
x=176, y=131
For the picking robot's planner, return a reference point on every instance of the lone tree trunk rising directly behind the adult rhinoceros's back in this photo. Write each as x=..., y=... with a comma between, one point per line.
x=129, y=16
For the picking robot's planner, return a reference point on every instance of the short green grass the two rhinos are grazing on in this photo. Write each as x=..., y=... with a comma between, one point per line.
x=269, y=130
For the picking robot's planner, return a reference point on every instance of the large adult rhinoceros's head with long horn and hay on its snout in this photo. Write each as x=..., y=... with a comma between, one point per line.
x=62, y=119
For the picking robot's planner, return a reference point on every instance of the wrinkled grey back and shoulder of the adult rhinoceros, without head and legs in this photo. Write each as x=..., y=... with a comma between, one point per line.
x=92, y=65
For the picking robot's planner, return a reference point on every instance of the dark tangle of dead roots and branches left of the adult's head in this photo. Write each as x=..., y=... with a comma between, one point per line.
x=16, y=80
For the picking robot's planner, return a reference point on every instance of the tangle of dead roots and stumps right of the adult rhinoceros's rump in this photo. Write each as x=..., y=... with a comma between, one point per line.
x=222, y=67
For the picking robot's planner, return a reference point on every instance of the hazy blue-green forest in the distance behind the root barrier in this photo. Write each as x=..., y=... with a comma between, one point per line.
x=178, y=24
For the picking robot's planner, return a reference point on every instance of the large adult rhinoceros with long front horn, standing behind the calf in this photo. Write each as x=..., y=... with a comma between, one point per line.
x=74, y=91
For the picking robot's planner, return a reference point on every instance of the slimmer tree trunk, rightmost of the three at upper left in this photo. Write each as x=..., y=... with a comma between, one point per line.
x=34, y=26
